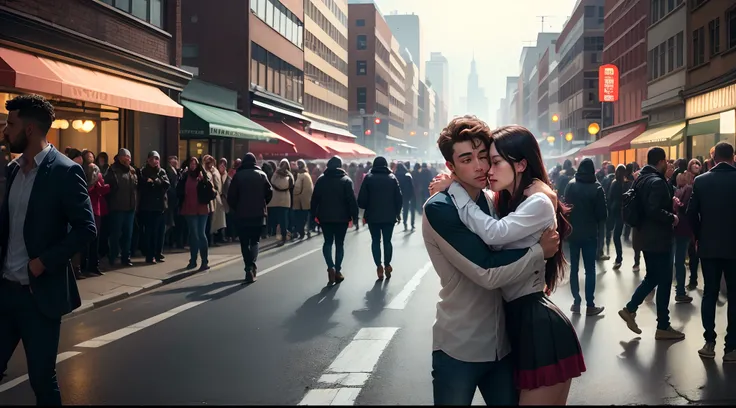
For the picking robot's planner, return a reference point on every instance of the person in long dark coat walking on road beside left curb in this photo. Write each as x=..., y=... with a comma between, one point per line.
x=248, y=197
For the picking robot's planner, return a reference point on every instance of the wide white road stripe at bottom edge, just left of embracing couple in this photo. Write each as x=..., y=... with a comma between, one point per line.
x=352, y=368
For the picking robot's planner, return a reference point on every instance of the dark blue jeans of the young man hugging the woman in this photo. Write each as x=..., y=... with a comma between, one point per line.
x=454, y=381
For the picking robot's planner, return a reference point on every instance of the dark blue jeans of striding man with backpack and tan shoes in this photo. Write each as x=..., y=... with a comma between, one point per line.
x=658, y=275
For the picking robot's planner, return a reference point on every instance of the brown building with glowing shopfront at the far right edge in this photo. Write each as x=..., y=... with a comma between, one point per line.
x=710, y=91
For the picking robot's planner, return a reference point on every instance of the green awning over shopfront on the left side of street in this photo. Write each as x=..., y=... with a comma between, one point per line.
x=204, y=121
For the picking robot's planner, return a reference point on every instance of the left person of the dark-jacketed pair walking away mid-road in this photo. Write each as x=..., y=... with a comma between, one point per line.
x=333, y=205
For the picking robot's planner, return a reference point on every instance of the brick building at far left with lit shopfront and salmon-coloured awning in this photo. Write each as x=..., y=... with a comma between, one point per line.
x=109, y=69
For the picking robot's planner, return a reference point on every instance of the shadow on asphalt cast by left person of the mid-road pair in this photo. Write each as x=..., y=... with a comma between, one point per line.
x=312, y=319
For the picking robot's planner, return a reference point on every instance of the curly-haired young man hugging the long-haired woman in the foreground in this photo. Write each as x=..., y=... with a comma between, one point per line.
x=470, y=348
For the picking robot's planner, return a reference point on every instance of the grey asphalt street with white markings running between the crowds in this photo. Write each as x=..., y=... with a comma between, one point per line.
x=287, y=339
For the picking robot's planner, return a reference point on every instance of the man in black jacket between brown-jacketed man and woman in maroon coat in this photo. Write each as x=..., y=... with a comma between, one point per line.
x=154, y=187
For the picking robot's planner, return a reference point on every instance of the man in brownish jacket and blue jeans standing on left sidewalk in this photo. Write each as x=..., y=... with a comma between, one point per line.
x=122, y=201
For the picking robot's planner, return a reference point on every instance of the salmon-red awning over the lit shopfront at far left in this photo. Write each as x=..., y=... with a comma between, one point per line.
x=38, y=74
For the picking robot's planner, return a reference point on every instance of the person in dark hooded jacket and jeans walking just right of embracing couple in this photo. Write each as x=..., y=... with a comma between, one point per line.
x=588, y=201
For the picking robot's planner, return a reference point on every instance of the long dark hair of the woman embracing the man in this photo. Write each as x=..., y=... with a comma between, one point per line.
x=514, y=144
